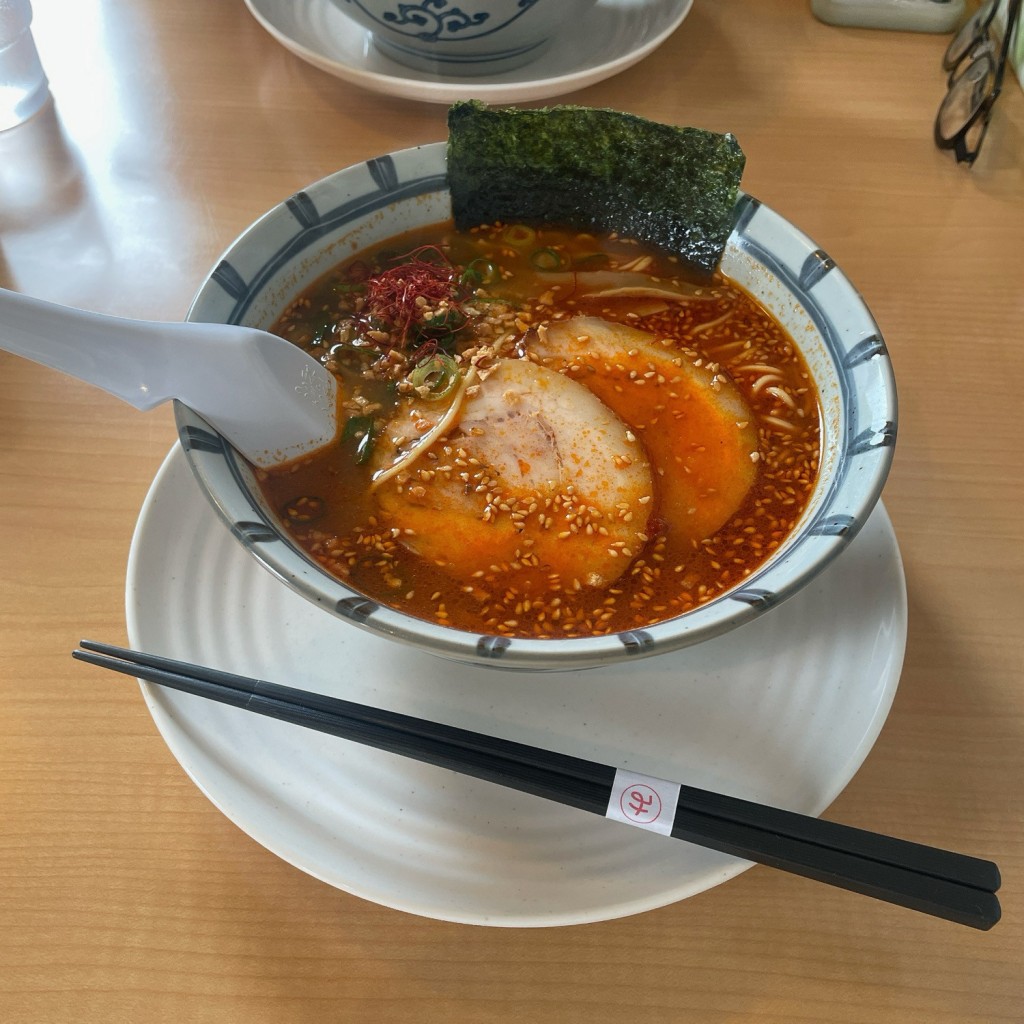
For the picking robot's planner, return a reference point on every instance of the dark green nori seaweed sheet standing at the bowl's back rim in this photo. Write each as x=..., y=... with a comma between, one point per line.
x=595, y=169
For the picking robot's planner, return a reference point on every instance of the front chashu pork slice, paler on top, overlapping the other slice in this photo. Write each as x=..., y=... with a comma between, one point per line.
x=539, y=484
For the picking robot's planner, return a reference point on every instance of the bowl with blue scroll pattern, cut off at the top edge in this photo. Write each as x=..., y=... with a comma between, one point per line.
x=464, y=37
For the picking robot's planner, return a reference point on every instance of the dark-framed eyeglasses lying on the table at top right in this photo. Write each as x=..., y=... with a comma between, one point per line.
x=975, y=81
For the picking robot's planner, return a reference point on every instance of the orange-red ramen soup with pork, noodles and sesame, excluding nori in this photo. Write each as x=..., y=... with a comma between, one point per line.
x=549, y=435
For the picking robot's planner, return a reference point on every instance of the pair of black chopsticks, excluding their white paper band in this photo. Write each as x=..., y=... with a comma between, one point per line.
x=948, y=885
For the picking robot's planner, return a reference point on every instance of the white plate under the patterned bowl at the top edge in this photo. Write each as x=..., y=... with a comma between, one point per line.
x=615, y=37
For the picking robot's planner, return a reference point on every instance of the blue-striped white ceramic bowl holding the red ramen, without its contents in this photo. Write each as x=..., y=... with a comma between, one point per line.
x=301, y=240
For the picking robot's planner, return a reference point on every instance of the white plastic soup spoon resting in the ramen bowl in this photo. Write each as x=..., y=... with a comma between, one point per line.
x=271, y=400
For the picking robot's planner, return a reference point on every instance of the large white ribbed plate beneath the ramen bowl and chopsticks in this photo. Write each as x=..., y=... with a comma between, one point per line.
x=783, y=711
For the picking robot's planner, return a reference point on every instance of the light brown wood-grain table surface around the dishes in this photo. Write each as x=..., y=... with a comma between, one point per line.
x=127, y=897
